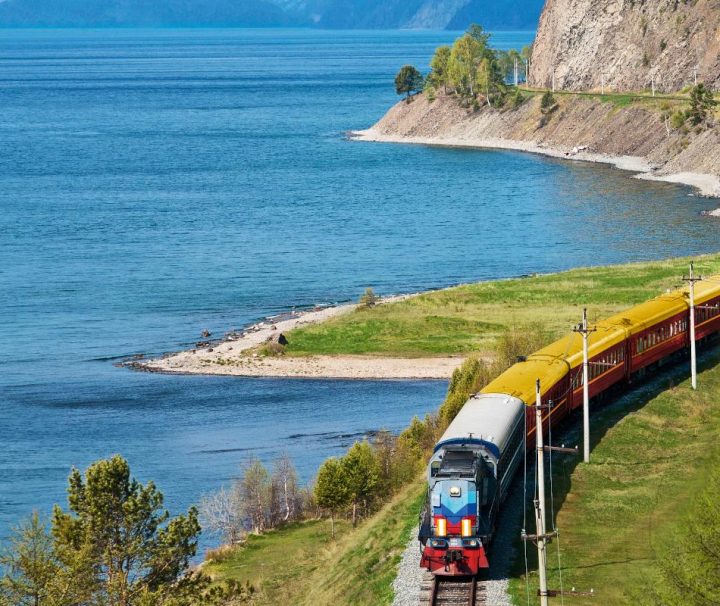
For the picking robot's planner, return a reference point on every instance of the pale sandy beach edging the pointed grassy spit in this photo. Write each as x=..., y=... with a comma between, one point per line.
x=236, y=355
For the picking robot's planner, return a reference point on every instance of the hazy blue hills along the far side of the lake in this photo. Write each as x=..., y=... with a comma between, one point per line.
x=347, y=14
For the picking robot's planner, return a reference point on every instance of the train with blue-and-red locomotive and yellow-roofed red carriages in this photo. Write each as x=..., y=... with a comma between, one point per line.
x=473, y=464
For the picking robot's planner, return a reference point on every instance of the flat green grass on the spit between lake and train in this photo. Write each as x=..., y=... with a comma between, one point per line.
x=469, y=318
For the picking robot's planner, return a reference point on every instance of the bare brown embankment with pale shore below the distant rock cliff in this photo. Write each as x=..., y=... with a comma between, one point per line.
x=633, y=133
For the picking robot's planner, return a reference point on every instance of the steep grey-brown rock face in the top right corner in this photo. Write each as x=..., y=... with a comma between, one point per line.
x=627, y=43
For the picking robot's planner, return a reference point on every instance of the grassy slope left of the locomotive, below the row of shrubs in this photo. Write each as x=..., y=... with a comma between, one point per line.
x=300, y=564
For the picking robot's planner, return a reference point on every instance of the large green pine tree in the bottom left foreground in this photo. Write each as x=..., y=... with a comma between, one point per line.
x=117, y=544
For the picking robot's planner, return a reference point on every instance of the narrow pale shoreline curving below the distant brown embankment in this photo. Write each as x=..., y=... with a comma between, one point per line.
x=707, y=185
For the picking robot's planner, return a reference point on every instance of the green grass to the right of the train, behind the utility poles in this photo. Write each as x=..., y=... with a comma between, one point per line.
x=618, y=515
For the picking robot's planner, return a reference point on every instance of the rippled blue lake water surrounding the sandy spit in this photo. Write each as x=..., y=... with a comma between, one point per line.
x=157, y=183
